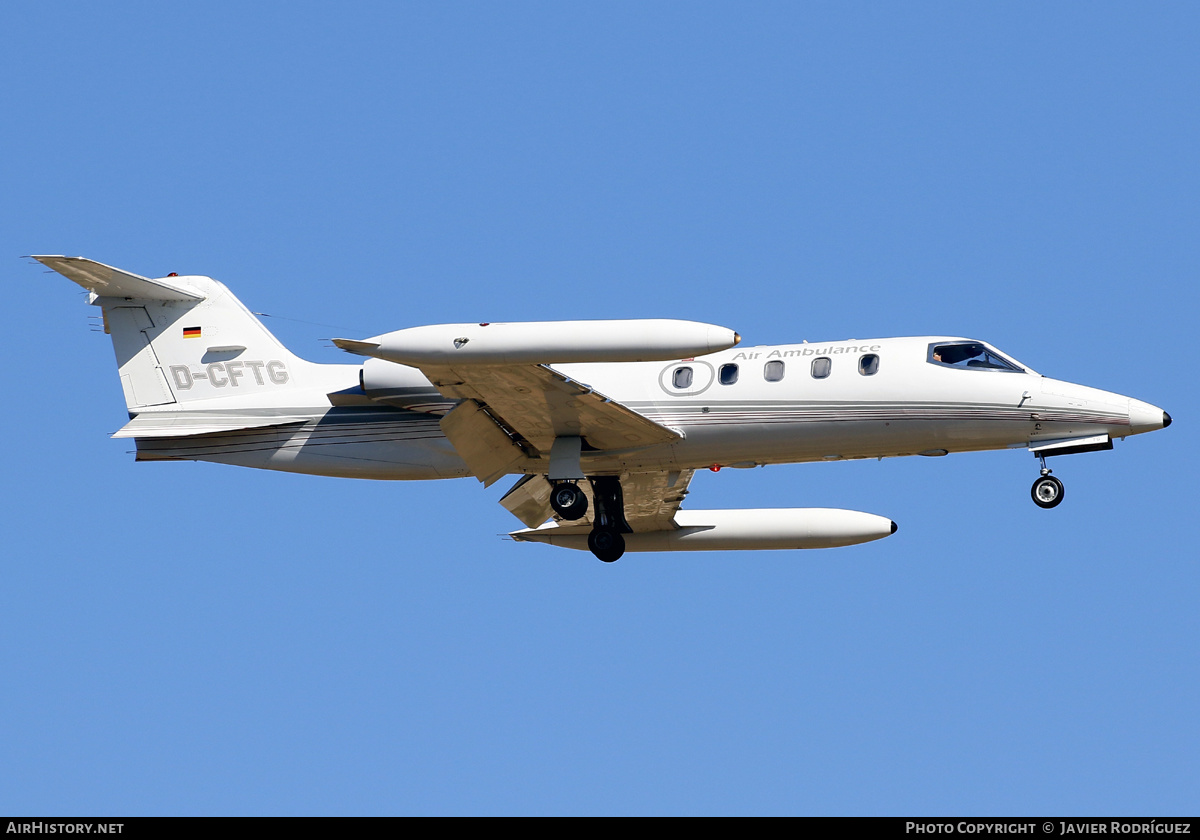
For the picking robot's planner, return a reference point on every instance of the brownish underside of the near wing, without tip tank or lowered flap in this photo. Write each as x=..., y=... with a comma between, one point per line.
x=539, y=404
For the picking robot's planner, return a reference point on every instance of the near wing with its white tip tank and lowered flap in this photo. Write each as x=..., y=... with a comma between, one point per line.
x=514, y=406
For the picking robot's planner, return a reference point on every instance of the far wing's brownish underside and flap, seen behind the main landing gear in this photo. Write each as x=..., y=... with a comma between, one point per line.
x=651, y=501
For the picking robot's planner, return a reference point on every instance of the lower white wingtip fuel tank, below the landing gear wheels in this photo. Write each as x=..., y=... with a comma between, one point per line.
x=737, y=531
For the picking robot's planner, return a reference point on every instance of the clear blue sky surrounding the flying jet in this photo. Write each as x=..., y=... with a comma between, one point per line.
x=196, y=639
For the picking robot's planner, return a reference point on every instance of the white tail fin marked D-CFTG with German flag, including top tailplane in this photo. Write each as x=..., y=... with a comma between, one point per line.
x=183, y=340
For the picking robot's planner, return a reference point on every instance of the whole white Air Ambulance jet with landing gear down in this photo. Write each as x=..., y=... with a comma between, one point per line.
x=605, y=421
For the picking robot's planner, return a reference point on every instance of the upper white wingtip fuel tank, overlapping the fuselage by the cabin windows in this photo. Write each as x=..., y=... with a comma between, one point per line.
x=547, y=343
